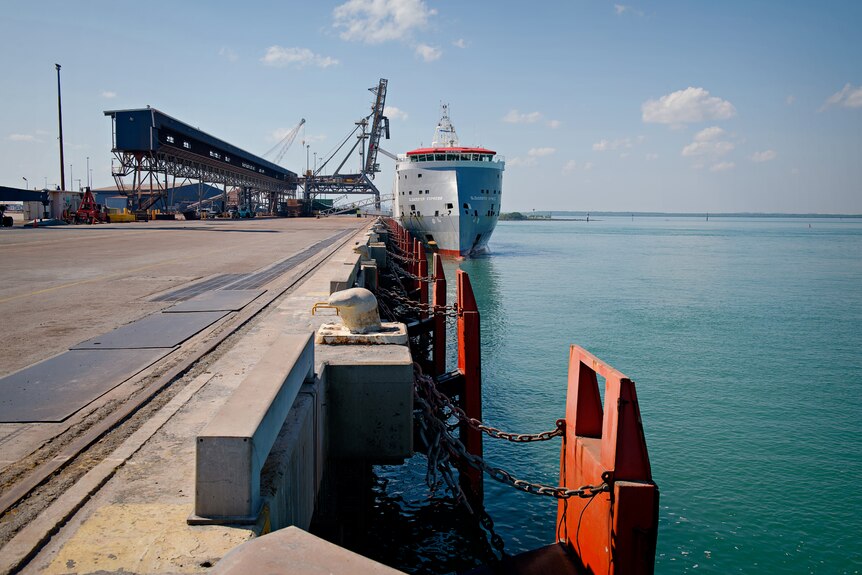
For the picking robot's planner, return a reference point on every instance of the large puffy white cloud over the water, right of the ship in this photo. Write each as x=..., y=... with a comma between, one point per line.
x=686, y=106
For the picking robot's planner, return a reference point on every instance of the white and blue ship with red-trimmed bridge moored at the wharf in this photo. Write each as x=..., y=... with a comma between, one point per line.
x=449, y=196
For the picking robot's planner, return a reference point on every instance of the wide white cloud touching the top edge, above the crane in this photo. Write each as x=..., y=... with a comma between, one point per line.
x=378, y=21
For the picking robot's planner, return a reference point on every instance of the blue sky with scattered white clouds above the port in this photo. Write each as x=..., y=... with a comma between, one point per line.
x=672, y=106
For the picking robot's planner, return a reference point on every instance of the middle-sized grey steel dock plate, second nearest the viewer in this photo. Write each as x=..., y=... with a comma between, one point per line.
x=157, y=330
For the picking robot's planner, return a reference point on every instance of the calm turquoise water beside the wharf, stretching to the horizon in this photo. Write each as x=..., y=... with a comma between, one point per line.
x=744, y=338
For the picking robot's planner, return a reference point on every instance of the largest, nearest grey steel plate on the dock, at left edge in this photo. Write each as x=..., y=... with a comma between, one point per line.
x=58, y=387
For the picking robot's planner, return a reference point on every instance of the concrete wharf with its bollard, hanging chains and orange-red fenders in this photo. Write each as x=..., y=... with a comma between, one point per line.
x=188, y=411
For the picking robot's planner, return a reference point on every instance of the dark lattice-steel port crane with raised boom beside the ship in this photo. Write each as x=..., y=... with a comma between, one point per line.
x=367, y=133
